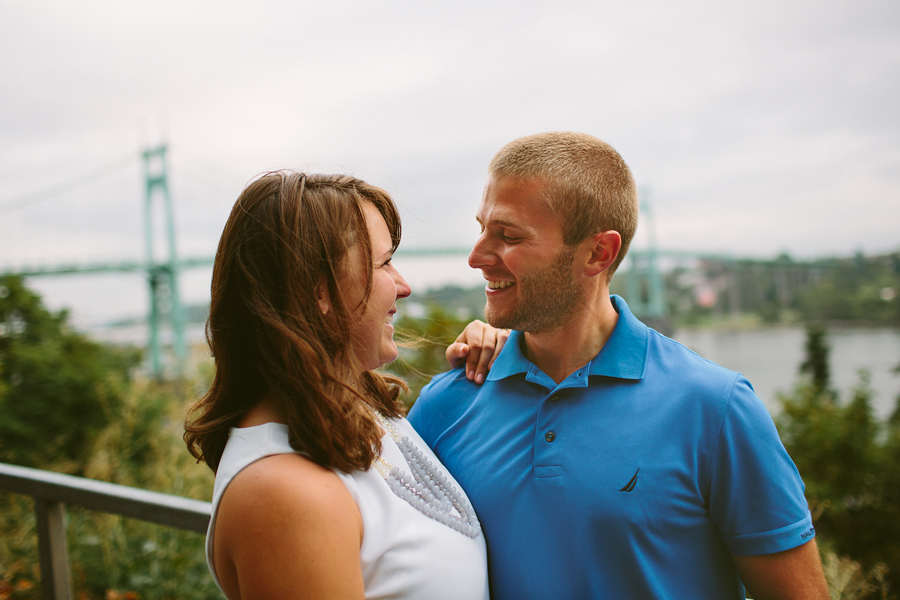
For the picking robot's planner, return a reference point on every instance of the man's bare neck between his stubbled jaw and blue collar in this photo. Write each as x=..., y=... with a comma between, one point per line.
x=564, y=350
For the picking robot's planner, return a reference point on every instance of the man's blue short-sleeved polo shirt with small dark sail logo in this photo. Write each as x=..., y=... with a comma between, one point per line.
x=633, y=478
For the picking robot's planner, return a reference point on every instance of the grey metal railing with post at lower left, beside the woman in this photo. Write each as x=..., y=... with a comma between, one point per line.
x=53, y=491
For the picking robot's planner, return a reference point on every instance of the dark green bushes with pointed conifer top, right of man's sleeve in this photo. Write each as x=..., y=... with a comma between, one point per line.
x=848, y=461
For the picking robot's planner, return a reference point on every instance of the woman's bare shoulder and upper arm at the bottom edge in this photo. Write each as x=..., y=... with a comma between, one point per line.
x=288, y=528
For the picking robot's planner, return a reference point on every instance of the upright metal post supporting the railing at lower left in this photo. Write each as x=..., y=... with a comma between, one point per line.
x=56, y=582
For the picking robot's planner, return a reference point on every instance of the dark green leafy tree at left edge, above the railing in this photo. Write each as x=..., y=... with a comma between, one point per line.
x=58, y=388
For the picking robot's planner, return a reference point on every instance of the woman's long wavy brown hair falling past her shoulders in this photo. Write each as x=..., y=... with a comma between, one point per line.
x=286, y=240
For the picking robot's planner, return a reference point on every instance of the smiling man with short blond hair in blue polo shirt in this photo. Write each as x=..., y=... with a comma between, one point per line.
x=604, y=459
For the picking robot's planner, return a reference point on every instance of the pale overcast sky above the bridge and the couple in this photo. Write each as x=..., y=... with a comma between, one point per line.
x=756, y=129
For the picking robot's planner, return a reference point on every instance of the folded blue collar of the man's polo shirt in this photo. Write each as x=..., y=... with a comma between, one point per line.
x=624, y=355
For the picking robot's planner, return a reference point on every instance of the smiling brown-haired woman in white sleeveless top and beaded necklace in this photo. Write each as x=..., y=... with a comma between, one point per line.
x=303, y=294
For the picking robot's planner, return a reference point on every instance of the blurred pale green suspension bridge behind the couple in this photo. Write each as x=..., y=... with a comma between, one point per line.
x=161, y=266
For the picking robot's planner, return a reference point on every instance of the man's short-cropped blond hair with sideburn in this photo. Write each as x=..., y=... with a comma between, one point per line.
x=589, y=185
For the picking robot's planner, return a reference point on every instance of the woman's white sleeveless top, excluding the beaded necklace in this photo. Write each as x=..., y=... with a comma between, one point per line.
x=404, y=554
